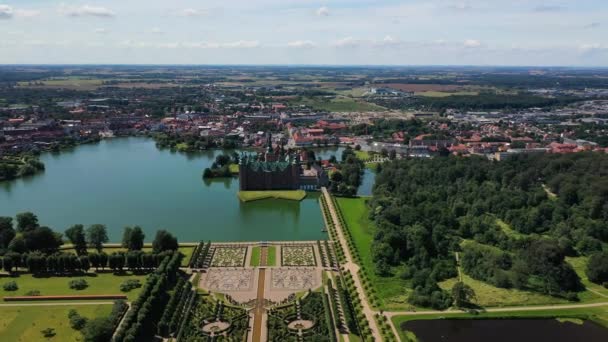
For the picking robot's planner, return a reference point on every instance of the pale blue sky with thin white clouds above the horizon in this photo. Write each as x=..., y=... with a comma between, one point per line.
x=340, y=32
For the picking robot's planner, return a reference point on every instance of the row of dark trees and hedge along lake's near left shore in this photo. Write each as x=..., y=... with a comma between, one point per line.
x=26, y=244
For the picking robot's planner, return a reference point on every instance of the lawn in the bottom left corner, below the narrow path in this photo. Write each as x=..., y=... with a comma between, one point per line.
x=25, y=323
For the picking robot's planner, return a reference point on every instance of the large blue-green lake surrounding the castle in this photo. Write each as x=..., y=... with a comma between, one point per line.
x=128, y=181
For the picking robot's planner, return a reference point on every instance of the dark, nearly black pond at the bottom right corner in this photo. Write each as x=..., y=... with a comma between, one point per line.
x=505, y=330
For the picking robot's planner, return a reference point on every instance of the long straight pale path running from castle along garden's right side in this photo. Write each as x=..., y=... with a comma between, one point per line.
x=352, y=267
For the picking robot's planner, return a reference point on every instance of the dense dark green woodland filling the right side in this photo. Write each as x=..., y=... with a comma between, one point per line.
x=515, y=221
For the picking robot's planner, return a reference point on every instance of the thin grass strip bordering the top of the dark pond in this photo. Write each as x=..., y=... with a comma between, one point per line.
x=596, y=314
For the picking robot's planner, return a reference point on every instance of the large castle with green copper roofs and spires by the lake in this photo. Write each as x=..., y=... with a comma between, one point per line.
x=276, y=169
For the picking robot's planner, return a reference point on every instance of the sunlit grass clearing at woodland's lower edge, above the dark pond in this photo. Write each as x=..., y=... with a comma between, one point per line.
x=491, y=296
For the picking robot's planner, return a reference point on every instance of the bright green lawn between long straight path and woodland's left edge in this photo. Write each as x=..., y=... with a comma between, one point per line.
x=391, y=291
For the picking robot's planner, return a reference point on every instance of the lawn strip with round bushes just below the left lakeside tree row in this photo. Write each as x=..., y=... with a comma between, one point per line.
x=102, y=283
